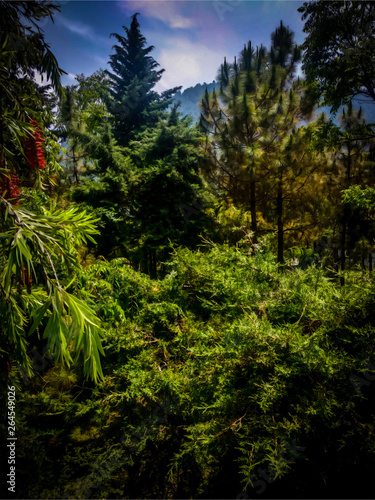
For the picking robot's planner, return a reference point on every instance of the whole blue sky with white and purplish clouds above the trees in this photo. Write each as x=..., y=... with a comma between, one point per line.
x=191, y=38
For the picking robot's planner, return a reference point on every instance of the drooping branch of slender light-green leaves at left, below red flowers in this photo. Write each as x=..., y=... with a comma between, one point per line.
x=33, y=248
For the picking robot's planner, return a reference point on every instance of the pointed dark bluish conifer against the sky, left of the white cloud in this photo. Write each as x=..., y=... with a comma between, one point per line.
x=134, y=104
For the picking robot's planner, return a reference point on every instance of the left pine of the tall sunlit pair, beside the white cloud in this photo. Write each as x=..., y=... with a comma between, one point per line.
x=233, y=123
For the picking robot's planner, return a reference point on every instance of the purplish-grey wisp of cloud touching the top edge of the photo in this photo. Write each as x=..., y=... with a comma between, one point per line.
x=169, y=12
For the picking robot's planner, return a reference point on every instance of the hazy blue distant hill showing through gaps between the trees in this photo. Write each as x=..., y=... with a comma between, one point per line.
x=191, y=97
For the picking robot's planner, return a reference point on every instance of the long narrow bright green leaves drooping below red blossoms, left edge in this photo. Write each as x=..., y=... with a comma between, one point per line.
x=41, y=239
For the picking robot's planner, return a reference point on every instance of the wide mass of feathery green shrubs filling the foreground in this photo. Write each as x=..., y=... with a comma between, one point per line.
x=224, y=361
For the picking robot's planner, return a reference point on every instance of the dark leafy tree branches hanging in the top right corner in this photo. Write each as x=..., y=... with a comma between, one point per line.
x=339, y=49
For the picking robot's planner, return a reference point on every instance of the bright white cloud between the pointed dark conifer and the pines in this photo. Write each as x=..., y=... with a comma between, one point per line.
x=187, y=63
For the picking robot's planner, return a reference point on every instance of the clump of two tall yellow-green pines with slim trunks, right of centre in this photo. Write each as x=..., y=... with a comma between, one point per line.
x=248, y=127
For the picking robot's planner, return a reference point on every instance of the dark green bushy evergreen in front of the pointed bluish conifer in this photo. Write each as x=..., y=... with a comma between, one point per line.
x=167, y=201
